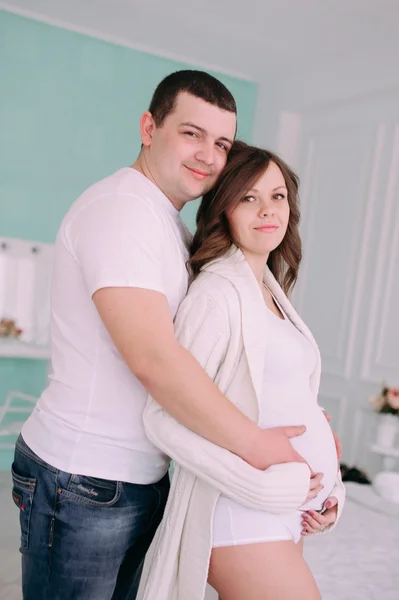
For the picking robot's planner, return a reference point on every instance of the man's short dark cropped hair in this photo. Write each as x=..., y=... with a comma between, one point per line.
x=197, y=83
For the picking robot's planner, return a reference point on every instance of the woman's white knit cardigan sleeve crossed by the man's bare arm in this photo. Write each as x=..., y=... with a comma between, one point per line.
x=281, y=488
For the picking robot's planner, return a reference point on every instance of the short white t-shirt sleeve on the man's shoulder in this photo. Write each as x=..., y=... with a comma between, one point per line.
x=117, y=241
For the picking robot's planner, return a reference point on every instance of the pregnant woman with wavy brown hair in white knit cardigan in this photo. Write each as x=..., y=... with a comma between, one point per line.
x=226, y=522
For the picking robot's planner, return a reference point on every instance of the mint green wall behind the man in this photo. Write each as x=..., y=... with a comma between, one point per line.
x=69, y=115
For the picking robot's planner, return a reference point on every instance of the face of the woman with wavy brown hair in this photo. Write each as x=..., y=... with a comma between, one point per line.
x=259, y=222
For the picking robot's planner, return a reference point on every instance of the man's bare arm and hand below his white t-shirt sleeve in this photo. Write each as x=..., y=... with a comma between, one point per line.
x=141, y=326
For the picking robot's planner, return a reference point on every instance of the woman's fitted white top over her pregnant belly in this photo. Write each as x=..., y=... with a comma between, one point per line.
x=288, y=399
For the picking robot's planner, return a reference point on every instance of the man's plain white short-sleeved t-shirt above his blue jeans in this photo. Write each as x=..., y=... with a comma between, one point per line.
x=121, y=232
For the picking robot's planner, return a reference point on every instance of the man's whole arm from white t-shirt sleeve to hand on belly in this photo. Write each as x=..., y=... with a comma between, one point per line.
x=118, y=242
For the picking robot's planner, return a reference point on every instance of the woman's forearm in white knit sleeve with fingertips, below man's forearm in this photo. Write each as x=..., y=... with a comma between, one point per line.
x=280, y=488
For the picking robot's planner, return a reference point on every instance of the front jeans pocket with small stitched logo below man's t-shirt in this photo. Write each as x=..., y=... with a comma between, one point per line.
x=91, y=491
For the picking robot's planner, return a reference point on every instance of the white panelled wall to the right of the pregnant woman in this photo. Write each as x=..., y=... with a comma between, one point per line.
x=344, y=142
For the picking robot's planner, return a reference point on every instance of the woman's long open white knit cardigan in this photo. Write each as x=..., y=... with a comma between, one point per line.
x=223, y=323
